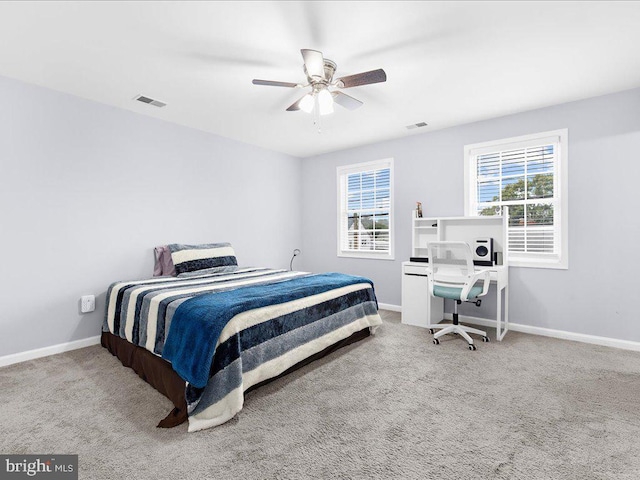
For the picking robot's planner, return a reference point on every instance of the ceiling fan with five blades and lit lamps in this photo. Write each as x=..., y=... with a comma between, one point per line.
x=319, y=72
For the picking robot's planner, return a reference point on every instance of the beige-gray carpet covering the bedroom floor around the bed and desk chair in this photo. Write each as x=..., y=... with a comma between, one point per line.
x=391, y=406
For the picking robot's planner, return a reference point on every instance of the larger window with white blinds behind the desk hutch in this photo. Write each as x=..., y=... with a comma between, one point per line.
x=529, y=175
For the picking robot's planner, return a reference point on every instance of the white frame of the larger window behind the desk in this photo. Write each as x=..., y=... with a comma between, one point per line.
x=560, y=137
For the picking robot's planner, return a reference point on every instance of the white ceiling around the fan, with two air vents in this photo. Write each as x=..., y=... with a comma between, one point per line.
x=447, y=63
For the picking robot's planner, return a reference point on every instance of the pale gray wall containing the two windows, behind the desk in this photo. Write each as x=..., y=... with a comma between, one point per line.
x=596, y=295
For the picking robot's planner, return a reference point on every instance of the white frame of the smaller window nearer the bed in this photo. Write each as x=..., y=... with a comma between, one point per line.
x=341, y=174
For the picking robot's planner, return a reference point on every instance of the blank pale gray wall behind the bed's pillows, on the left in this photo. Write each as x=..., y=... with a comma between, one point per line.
x=87, y=191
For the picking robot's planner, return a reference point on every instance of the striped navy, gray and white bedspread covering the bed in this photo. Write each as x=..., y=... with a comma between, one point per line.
x=253, y=343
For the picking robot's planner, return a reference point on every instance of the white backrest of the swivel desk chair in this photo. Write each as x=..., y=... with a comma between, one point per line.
x=451, y=263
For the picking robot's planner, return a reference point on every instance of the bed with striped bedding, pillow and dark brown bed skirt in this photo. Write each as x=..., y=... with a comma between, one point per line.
x=214, y=331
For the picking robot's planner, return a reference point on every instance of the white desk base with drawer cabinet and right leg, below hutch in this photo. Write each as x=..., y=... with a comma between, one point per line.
x=421, y=309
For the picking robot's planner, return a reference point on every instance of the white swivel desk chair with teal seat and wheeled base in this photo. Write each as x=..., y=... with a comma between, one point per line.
x=452, y=275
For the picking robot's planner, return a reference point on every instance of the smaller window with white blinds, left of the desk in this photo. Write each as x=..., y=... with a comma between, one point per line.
x=365, y=214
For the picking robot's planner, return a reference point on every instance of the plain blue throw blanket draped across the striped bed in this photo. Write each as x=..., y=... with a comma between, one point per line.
x=198, y=322
